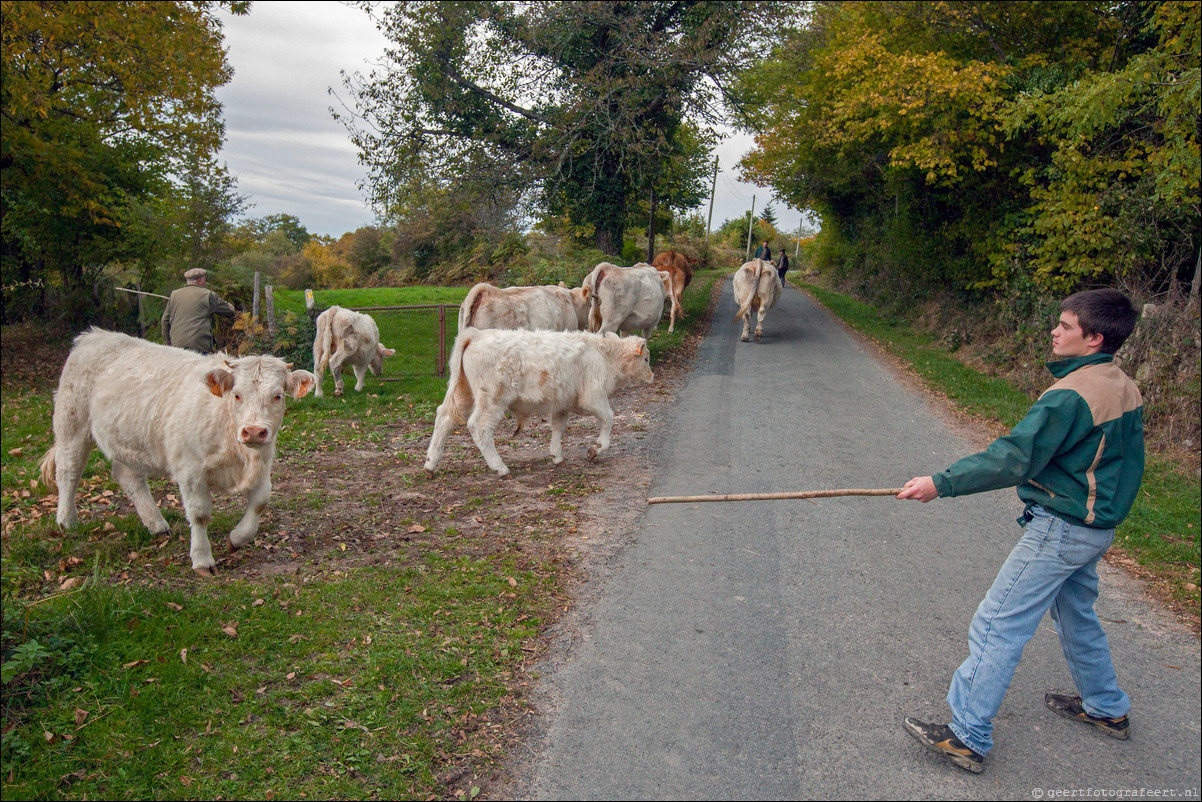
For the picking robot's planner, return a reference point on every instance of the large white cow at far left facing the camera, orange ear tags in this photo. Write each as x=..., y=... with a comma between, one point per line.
x=156, y=411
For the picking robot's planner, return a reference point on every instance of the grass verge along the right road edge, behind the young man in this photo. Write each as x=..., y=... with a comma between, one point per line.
x=1161, y=539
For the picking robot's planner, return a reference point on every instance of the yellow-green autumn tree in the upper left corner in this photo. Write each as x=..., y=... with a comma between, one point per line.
x=99, y=102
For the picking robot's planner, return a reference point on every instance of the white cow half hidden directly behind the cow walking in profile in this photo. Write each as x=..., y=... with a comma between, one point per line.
x=551, y=308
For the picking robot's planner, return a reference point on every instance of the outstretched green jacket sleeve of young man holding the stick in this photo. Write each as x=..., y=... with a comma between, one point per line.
x=1060, y=418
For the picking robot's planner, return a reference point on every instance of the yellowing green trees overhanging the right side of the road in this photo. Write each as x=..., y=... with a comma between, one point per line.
x=979, y=146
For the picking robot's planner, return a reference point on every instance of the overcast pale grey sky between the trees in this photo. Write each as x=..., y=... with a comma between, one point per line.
x=290, y=157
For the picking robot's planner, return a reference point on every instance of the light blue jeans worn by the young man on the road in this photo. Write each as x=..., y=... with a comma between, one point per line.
x=1054, y=567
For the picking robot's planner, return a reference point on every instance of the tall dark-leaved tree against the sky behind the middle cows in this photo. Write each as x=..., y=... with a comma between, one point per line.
x=578, y=108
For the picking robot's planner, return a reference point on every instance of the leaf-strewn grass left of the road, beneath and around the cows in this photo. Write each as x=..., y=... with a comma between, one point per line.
x=128, y=678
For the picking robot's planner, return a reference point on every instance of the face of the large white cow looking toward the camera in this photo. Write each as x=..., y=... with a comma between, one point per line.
x=254, y=389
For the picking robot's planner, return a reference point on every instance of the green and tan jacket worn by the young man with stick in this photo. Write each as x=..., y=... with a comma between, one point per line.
x=1079, y=453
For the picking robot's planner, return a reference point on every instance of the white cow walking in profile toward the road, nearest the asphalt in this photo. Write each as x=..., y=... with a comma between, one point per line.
x=495, y=372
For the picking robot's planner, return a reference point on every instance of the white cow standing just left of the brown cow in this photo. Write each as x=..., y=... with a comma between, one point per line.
x=628, y=299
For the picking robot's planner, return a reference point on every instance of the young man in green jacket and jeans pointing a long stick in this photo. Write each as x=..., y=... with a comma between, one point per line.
x=1078, y=461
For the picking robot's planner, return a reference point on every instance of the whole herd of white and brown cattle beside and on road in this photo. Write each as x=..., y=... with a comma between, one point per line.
x=525, y=352
